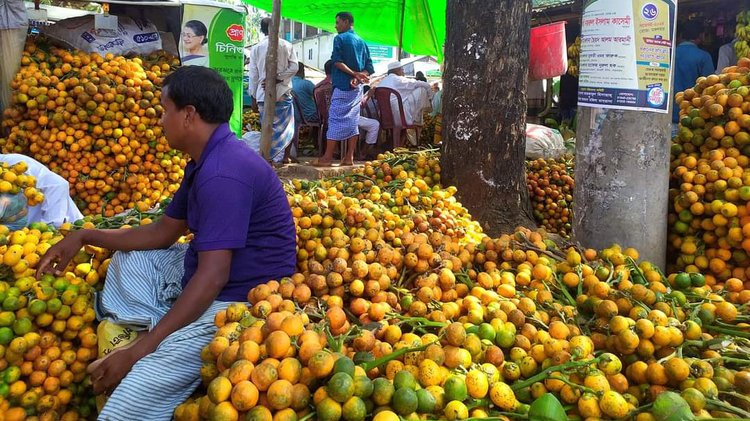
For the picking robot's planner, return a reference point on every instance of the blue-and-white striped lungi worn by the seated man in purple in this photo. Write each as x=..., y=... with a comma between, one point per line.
x=141, y=287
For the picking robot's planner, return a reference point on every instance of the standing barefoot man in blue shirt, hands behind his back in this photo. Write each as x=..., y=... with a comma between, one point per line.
x=352, y=67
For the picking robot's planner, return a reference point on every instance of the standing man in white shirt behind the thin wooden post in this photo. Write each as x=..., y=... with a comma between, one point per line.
x=283, y=122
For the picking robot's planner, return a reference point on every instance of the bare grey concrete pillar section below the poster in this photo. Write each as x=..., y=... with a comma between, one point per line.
x=622, y=181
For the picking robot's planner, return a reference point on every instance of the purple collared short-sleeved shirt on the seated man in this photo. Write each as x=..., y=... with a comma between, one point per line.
x=233, y=200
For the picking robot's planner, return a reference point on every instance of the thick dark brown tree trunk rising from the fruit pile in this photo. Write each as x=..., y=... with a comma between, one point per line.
x=484, y=110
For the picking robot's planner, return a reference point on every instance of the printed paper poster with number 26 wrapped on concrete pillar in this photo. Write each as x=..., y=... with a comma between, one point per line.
x=626, y=54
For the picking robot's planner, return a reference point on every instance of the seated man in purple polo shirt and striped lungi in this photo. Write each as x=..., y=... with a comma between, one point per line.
x=234, y=203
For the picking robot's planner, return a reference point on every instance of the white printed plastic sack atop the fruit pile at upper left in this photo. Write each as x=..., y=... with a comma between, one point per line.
x=139, y=37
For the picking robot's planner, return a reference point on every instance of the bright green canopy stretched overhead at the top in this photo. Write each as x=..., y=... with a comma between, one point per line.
x=380, y=20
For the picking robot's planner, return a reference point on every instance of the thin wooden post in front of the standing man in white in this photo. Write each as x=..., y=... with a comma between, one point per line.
x=271, y=71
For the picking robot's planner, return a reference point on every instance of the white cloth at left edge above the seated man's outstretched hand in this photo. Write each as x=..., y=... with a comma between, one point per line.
x=57, y=206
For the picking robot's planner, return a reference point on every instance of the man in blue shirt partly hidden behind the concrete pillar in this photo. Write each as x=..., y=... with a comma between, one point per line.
x=690, y=63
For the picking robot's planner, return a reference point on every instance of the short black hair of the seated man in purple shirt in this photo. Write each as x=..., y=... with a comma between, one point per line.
x=203, y=88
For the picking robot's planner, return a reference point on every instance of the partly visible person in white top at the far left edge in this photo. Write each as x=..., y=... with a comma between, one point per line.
x=13, y=28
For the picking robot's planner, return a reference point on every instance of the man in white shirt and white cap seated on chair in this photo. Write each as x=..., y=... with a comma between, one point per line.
x=415, y=94
